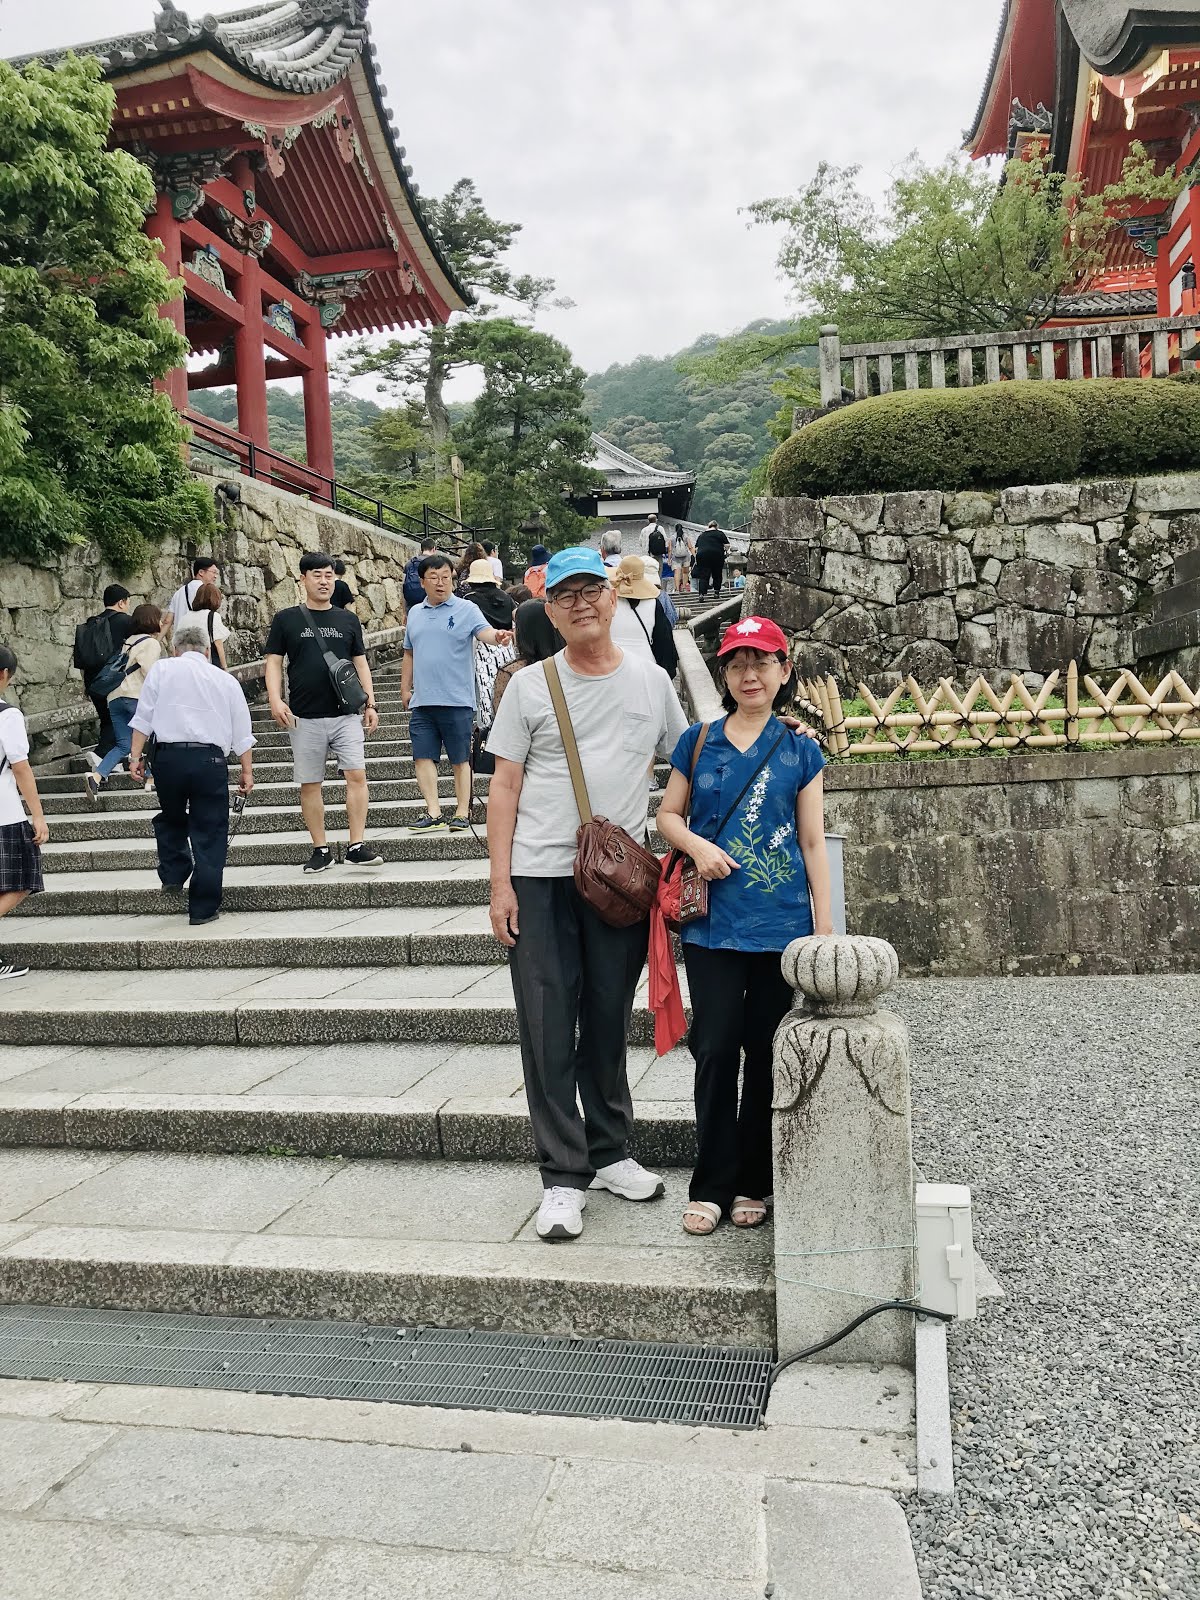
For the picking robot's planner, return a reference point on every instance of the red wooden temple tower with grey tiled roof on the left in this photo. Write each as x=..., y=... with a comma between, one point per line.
x=284, y=201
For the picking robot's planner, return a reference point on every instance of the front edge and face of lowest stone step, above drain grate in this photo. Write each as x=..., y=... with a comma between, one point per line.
x=577, y=1290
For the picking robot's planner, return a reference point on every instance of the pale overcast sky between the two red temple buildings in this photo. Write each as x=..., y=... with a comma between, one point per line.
x=626, y=134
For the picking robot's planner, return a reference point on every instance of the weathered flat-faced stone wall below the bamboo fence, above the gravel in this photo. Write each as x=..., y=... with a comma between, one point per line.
x=1057, y=863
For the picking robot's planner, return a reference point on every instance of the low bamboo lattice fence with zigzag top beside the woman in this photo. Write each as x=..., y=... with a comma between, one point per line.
x=983, y=719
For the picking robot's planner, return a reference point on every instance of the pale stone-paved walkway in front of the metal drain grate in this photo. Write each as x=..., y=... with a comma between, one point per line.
x=185, y=1495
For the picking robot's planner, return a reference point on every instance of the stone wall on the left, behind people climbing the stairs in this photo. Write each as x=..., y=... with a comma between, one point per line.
x=260, y=540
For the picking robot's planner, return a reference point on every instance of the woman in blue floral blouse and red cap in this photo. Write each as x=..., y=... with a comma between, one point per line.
x=758, y=836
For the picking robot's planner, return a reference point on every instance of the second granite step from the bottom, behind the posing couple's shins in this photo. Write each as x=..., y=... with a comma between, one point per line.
x=401, y=1102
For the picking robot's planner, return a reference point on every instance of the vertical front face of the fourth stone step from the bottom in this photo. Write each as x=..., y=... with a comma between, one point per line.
x=196, y=954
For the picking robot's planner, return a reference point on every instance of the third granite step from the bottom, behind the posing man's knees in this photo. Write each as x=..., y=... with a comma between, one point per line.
x=262, y=1006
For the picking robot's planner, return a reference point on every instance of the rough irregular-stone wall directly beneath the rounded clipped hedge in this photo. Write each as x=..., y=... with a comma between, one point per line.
x=1022, y=580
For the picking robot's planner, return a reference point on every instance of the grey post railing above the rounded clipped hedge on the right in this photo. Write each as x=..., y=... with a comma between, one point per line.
x=1145, y=348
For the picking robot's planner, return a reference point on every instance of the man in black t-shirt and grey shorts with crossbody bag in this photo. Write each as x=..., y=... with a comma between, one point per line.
x=313, y=714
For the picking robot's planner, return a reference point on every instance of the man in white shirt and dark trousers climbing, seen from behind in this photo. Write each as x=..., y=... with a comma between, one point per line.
x=198, y=716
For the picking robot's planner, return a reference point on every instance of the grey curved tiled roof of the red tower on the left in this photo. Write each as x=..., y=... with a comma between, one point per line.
x=298, y=47
